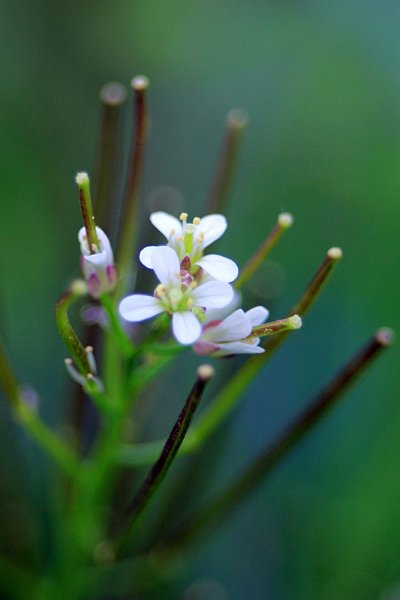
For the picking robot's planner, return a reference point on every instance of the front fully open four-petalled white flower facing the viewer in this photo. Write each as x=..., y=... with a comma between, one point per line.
x=177, y=294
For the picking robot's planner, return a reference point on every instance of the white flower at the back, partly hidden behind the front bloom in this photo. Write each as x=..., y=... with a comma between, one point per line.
x=189, y=240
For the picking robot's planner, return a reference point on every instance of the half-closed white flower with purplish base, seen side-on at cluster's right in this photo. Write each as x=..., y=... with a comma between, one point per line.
x=231, y=336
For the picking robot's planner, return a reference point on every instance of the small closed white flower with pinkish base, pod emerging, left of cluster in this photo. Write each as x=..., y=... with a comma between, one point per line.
x=98, y=268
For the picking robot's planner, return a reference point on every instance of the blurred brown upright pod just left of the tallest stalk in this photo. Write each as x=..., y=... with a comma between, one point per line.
x=113, y=96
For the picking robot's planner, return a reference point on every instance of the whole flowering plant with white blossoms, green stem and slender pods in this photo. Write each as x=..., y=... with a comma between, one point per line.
x=102, y=546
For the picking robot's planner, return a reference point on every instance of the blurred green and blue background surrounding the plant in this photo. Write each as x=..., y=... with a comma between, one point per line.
x=321, y=83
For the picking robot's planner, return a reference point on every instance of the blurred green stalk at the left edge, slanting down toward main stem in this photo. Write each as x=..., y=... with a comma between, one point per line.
x=31, y=421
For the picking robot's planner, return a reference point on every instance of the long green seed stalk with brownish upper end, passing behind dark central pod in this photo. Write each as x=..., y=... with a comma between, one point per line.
x=226, y=400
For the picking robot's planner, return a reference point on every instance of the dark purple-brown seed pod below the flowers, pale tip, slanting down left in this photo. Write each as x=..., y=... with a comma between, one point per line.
x=164, y=462
